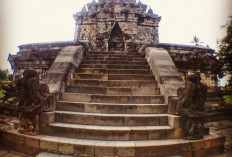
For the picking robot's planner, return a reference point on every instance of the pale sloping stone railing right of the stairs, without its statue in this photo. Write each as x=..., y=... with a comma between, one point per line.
x=166, y=74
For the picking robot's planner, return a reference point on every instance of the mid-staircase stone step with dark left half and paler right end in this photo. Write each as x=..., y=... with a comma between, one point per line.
x=113, y=91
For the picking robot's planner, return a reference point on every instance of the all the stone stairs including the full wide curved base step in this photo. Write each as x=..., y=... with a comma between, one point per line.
x=111, y=106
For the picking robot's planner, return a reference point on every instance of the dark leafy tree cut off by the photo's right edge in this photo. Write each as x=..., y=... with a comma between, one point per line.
x=225, y=52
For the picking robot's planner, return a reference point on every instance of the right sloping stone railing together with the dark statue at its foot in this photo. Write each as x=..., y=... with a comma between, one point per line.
x=183, y=99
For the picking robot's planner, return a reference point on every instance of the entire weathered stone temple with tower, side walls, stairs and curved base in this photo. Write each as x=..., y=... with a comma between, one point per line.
x=117, y=89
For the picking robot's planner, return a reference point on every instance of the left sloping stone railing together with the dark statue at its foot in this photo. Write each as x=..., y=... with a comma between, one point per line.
x=38, y=99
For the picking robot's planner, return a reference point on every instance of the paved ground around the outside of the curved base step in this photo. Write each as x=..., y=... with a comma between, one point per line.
x=220, y=127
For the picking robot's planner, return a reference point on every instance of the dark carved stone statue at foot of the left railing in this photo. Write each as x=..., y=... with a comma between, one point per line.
x=34, y=99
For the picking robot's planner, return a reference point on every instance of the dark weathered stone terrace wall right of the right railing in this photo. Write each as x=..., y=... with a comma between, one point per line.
x=191, y=59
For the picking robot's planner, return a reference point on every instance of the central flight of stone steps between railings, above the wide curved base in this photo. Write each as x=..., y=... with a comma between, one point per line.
x=112, y=101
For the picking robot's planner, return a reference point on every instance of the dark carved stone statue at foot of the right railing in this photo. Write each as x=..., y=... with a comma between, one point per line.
x=190, y=106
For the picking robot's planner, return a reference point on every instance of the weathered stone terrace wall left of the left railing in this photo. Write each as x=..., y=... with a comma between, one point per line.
x=36, y=56
